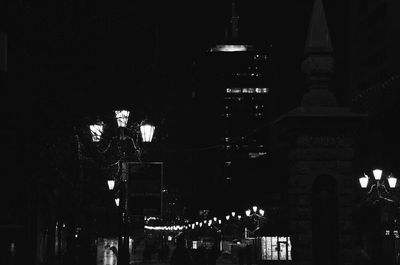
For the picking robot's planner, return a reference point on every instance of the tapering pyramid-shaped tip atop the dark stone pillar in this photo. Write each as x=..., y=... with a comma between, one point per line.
x=318, y=38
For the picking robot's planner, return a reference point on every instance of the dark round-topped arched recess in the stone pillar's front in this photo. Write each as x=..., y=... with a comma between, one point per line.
x=325, y=221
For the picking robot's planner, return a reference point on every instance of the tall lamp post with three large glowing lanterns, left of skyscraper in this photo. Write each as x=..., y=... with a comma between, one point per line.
x=130, y=136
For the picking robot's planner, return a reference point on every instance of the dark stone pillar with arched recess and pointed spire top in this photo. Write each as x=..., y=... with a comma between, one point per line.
x=318, y=137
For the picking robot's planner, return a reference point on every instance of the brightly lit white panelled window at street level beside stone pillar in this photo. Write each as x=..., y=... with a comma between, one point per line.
x=276, y=248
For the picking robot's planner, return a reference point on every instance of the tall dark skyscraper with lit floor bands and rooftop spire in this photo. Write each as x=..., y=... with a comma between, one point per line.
x=232, y=99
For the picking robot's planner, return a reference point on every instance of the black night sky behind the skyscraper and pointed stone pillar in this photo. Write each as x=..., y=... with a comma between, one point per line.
x=69, y=60
